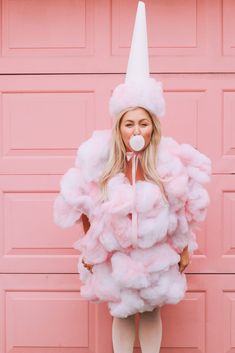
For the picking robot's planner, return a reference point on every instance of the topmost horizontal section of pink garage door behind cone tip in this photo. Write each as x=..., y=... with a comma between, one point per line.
x=94, y=36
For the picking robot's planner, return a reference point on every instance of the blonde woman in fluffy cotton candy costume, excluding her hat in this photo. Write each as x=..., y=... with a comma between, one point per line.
x=134, y=267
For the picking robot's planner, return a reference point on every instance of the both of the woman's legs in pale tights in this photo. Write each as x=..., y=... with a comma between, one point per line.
x=150, y=332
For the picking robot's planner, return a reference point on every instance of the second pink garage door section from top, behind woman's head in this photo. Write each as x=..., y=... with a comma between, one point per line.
x=60, y=111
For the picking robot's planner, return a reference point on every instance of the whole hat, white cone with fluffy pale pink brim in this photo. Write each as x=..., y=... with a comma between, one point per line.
x=138, y=90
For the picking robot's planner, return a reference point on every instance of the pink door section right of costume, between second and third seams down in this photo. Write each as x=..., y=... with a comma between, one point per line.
x=216, y=234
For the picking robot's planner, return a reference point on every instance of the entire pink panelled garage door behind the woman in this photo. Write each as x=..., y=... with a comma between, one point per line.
x=59, y=61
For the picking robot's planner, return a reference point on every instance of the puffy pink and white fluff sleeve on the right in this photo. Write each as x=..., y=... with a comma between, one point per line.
x=189, y=206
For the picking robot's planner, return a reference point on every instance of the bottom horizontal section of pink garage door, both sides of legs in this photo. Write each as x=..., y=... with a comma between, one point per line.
x=46, y=313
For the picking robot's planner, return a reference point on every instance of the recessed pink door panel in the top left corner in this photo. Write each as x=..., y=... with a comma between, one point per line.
x=66, y=28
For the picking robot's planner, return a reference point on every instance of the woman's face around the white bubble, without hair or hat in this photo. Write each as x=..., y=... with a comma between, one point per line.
x=136, y=122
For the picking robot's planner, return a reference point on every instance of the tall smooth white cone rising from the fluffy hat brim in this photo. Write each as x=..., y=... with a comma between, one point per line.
x=138, y=63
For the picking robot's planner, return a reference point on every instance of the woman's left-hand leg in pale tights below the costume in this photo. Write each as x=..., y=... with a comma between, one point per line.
x=123, y=334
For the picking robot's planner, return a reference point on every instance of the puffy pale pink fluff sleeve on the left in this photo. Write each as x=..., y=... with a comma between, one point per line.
x=79, y=186
